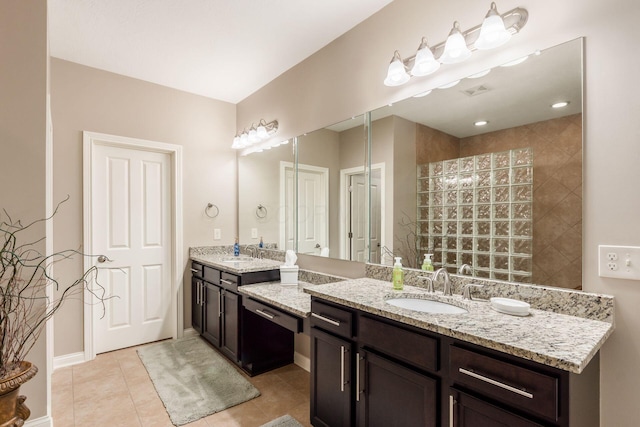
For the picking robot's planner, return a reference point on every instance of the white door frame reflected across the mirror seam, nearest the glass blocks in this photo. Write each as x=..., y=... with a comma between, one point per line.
x=344, y=203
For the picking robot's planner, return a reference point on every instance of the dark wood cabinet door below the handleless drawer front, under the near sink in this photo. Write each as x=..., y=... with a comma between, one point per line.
x=391, y=395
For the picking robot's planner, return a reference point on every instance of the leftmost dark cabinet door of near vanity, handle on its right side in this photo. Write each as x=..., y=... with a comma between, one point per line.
x=331, y=391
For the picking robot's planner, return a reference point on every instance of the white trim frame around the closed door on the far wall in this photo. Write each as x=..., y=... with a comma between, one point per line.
x=89, y=141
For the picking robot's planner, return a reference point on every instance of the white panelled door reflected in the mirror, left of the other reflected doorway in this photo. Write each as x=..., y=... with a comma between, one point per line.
x=313, y=210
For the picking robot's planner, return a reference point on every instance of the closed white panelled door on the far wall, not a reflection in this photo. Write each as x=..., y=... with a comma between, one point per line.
x=131, y=226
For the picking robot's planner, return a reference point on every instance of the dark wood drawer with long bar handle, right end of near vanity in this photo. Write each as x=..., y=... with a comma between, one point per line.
x=512, y=384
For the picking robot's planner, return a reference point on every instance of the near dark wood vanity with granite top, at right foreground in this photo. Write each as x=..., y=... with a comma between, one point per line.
x=373, y=364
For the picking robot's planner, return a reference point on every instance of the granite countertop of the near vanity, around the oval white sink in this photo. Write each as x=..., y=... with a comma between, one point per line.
x=558, y=340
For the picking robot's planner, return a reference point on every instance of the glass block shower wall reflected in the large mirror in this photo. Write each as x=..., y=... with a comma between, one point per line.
x=478, y=210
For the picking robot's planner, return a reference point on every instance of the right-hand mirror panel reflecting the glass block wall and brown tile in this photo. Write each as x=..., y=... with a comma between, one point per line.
x=504, y=197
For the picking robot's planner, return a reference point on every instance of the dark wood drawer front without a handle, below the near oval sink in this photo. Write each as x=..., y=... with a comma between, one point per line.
x=412, y=347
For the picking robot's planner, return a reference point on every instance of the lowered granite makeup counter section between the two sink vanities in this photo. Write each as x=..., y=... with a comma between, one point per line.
x=290, y=298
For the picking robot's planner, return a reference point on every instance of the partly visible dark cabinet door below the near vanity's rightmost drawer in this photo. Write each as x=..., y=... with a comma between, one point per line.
x=468, y=411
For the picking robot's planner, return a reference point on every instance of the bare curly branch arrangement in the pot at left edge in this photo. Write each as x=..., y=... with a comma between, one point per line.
x=25, y=274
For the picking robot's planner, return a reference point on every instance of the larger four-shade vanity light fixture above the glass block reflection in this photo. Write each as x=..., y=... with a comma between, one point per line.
x=494, y=31
